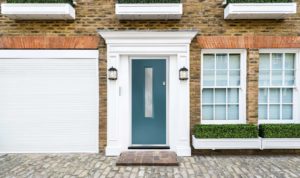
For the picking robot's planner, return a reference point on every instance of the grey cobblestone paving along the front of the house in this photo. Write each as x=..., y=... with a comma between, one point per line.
x=97, y=165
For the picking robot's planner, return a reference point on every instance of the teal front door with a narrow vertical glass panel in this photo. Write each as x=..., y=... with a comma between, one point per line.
x=149, y=102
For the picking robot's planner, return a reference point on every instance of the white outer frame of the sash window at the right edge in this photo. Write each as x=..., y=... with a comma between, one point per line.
x=296, y=88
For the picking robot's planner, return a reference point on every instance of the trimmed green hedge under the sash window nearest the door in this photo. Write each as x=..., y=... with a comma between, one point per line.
x=226, y=131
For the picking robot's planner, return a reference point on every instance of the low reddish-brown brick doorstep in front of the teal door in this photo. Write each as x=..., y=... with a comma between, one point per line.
x=148, y=158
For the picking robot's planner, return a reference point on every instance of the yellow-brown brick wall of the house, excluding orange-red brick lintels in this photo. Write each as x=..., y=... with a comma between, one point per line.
x=205, y=16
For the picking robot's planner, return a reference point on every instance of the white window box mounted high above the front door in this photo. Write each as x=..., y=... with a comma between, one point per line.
x=149, y=11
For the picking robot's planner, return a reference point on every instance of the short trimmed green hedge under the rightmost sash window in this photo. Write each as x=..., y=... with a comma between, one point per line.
x=279, y=130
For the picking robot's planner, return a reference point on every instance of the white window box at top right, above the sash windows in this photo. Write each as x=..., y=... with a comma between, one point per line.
x=259, y=10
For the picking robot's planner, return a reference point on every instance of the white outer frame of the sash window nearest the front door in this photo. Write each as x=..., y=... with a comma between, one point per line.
x=242, y=88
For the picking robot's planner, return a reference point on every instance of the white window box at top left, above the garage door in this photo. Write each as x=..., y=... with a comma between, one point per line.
x=38, y=11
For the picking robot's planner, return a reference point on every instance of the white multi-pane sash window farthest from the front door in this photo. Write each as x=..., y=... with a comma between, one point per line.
x=277, y=87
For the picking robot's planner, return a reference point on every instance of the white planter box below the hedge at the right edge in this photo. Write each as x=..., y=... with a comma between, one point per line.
x=281, y=143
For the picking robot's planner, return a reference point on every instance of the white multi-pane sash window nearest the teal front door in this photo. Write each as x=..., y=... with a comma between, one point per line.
x=223, y=86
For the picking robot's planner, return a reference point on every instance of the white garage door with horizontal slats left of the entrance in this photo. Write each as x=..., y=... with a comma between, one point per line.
x=49, y=101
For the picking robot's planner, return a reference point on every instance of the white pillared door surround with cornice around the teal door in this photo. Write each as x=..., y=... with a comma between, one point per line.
x=121, y=45
